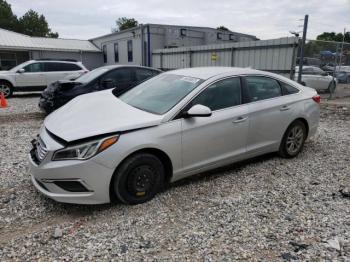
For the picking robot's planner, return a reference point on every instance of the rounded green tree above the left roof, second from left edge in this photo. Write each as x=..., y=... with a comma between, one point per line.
x=33, y=24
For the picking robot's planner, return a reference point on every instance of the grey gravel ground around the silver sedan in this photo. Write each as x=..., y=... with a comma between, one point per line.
x=266, y=209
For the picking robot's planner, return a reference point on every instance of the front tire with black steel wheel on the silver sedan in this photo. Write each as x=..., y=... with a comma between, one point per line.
x=138, y=179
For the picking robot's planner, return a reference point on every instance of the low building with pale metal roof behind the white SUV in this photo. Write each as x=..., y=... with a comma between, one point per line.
x=17, y=48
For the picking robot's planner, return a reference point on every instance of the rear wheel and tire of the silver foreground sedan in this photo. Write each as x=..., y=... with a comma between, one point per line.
x=292, y=143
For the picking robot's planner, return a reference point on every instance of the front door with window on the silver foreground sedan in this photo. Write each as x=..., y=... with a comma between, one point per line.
x=221, y=138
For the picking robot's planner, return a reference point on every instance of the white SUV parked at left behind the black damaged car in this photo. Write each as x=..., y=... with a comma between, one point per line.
x=36, y=75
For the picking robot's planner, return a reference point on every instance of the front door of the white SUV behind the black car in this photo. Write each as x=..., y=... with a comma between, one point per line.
x=33, y=77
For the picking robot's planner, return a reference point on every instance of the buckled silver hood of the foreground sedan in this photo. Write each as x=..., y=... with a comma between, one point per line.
x=95, y=114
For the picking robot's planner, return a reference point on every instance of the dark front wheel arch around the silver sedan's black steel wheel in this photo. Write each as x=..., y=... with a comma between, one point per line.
x=164, y=158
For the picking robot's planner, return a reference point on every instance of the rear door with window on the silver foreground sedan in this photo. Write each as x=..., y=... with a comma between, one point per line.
x=270, y=113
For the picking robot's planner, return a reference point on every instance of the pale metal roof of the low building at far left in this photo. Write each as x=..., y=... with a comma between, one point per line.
x=12, y=40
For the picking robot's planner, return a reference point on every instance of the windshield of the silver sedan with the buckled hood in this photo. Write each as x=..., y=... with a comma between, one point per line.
x=158, y=95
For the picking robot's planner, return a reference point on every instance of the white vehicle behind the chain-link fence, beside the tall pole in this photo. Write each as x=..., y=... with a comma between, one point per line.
x=316, y=78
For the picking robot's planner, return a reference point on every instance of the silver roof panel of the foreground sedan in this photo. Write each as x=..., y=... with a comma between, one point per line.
x=208, y=72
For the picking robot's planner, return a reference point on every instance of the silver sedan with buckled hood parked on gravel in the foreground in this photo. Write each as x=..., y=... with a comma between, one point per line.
x=100, y=147
